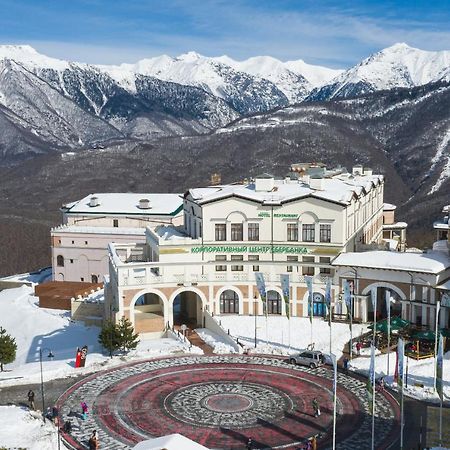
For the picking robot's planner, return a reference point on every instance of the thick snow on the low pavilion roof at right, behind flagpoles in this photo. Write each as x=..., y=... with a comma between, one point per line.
x=431, y=262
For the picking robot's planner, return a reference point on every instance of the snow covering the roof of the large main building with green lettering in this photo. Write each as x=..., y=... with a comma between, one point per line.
x=340, y=189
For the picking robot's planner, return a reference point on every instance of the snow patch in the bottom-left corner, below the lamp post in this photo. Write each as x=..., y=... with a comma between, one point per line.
x=25, y=429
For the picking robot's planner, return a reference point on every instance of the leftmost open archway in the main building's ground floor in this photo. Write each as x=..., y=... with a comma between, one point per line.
x=148, y=313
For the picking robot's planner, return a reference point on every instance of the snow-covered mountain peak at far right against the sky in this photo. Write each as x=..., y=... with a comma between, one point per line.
x=393, y=67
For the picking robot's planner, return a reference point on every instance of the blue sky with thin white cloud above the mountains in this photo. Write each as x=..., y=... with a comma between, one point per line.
x=331, y=33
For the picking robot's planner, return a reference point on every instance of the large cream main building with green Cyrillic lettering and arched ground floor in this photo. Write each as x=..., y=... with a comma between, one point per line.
x=296, y=225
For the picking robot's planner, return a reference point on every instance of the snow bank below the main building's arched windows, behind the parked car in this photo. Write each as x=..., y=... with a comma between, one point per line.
x=273, y=334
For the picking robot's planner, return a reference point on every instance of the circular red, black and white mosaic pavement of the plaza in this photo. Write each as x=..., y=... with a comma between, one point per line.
x=221, y=401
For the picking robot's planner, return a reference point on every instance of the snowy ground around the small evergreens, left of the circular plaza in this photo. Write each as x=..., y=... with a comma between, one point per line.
x=37, y=328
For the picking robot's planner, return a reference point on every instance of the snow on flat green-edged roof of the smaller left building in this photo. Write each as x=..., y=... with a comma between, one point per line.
x=128, y=204
